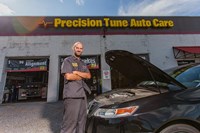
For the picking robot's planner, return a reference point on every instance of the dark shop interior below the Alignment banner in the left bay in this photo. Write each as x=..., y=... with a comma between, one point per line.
x=26, y=86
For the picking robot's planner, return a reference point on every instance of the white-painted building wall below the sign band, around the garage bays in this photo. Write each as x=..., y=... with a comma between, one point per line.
x=159, y=48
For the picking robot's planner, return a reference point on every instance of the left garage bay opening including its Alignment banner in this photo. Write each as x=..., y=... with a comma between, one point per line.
x=27, y=80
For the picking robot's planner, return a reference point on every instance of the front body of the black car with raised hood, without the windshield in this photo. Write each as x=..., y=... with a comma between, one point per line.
x=157, y=102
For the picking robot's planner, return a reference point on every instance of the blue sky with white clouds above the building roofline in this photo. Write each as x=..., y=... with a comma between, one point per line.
x=99, y=7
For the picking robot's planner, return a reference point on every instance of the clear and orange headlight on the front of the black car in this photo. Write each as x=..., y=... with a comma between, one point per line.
x=114, y=113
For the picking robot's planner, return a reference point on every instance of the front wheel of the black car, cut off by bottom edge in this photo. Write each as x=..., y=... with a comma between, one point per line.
x=180, y=128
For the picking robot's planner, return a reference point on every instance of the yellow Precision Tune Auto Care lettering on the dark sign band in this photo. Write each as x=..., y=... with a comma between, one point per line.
x=108, y=22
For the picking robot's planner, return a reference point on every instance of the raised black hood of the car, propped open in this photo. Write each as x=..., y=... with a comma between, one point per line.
x=137, y=69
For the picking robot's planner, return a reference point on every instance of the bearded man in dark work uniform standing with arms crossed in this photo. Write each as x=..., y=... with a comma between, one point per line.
x=75, y=101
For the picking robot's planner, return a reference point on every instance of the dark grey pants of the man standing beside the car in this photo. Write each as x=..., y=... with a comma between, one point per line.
x=75, y=113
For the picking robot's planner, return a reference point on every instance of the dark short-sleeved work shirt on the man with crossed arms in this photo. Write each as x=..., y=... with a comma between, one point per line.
x=74, y=88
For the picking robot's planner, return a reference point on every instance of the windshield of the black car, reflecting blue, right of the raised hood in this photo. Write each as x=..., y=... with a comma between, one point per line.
x=187, y=75
